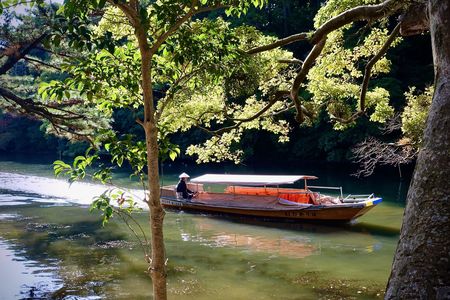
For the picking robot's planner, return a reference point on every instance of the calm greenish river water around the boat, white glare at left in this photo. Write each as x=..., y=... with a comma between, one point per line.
x=58, y=249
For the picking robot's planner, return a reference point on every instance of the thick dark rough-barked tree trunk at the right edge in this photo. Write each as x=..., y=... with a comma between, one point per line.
x=421, y=268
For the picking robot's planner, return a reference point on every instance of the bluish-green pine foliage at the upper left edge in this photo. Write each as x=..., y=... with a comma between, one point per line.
x=29, y=60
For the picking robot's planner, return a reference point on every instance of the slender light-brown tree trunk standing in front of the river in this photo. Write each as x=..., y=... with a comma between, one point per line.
x=156, y=212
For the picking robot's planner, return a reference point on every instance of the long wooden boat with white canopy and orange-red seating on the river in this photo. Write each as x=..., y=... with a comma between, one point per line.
x=261, y=196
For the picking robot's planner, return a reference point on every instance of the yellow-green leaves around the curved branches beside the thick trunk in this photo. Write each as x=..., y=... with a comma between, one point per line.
x=334, y=81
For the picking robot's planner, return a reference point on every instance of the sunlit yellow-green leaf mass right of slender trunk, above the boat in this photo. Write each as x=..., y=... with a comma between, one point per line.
x=229, y=87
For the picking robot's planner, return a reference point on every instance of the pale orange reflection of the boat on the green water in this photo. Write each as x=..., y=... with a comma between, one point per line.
x=299, y=240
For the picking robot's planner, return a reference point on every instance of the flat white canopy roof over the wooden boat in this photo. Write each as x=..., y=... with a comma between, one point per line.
x=255, y=180
